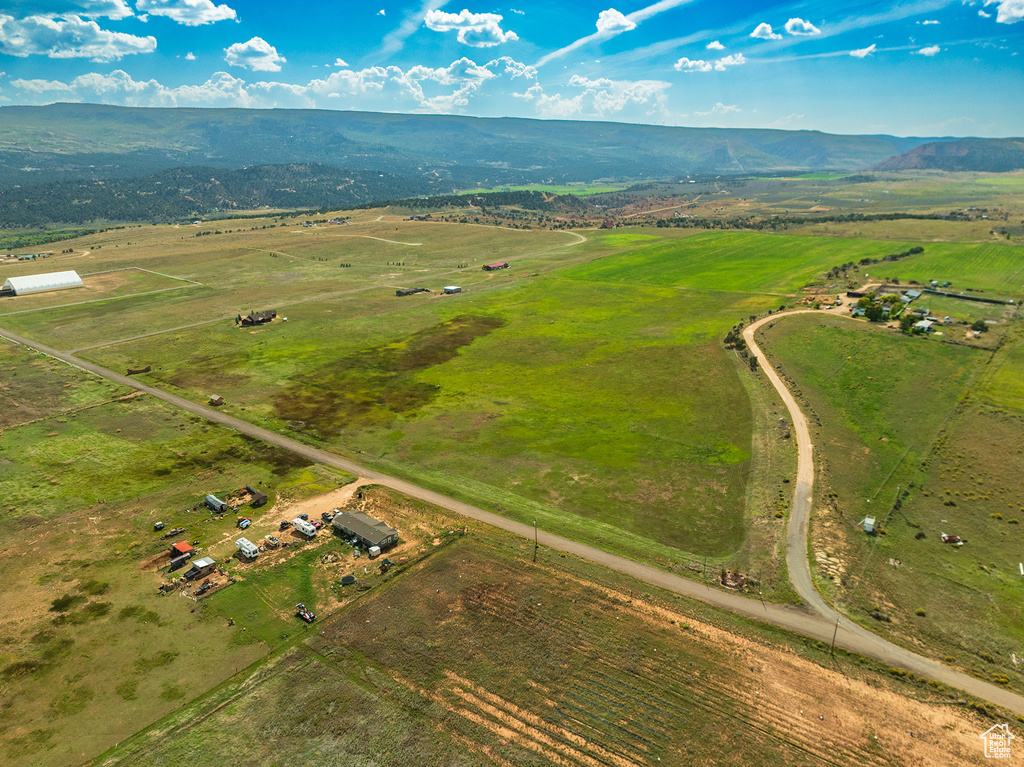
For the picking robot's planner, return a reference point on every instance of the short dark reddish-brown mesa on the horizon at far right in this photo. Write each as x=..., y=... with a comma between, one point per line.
x=979, y=155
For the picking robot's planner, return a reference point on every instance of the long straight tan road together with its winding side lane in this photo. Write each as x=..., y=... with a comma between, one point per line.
x=818, y=622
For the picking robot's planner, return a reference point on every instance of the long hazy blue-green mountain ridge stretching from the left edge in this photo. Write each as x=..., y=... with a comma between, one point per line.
x=74, y=141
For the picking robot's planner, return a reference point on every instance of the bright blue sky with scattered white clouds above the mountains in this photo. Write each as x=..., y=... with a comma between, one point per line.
x=930, y=68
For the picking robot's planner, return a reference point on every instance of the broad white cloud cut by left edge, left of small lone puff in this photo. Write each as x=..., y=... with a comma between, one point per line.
x=68, y=37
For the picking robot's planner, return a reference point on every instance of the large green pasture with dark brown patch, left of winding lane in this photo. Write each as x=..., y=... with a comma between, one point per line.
x=541, y=395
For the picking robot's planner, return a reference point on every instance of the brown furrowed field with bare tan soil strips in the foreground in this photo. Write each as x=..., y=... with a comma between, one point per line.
x=478, y=657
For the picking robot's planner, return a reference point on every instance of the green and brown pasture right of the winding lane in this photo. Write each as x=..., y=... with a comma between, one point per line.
x=941, y=421
